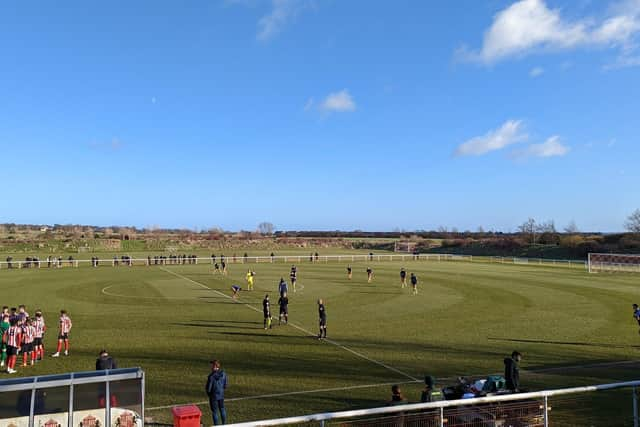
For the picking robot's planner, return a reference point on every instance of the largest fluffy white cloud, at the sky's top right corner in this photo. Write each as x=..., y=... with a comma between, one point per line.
x=528, y=26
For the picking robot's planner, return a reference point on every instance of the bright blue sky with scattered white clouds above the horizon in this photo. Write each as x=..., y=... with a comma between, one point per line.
x=320, y=114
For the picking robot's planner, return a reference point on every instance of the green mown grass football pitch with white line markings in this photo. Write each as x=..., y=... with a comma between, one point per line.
x=466, y=318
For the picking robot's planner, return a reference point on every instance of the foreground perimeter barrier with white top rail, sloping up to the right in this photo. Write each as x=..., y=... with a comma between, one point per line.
x=533, y=409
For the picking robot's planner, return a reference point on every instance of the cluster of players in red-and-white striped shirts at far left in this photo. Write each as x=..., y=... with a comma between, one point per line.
x=24, y=335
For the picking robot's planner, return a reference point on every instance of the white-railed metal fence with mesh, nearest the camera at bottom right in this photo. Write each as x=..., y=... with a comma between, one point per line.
x=521, y=409
